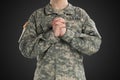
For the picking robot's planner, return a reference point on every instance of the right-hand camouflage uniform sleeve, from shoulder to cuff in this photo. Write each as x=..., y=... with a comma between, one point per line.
x=88, y=41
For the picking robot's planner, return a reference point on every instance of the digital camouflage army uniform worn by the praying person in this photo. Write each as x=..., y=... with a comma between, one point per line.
x=59, y=58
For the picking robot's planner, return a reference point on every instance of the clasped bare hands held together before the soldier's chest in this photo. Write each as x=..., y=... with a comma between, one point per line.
x=59, y=26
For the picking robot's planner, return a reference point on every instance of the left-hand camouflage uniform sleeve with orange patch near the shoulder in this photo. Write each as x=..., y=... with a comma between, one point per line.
x=31, y=44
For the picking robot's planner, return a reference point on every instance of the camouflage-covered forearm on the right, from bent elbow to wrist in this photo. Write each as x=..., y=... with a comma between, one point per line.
x=82, y=42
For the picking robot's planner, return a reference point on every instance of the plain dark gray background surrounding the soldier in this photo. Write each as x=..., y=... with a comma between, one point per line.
x=101, y=66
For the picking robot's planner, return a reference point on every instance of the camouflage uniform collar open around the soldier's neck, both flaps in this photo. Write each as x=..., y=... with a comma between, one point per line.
x=68, y=10
